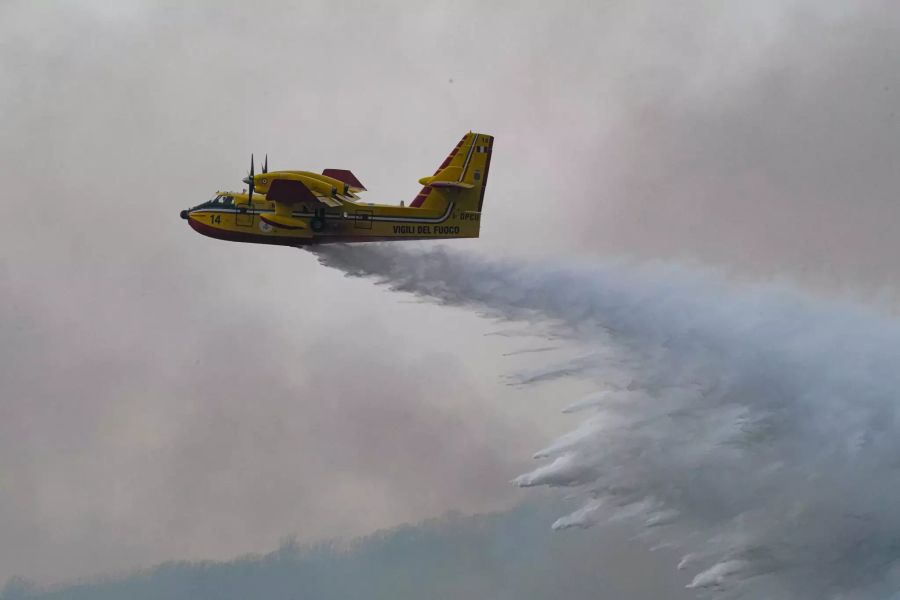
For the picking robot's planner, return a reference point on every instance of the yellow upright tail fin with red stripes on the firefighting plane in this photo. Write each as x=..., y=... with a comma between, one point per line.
x=463, y=173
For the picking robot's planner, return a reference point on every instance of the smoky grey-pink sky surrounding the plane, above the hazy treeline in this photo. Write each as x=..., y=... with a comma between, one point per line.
x=166, y=395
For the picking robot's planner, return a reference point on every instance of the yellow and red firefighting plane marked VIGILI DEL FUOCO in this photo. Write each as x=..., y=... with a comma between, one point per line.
x=298, y=208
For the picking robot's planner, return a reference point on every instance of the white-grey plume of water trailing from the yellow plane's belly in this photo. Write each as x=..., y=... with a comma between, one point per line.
x=752, y=428
